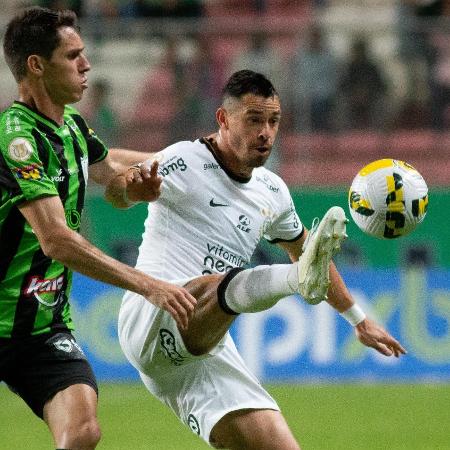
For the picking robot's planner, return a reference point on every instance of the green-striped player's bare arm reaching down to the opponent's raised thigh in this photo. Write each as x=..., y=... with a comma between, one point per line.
x=75, y=252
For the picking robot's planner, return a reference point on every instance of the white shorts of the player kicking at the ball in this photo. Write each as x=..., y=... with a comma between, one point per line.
x=200, y=390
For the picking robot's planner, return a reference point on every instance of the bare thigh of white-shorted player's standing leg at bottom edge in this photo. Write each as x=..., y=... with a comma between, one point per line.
x=253, y=429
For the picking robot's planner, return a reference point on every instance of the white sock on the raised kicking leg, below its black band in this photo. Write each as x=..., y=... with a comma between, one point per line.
x=258, y=289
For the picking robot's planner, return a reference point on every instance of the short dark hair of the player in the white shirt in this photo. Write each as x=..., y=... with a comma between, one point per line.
x=248, y=82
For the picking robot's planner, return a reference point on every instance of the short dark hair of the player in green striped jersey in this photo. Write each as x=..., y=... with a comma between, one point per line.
x=34, y=31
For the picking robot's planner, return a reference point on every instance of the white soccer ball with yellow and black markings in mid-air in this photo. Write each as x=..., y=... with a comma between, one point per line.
x=388, y=198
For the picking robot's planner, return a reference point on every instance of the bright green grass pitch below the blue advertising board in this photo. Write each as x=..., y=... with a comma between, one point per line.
x=329, y=417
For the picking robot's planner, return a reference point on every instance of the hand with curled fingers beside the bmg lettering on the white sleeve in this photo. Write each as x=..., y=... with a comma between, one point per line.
x=143, y=184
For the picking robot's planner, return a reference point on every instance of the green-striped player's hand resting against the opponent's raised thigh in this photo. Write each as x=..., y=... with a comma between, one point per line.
x=174, y=299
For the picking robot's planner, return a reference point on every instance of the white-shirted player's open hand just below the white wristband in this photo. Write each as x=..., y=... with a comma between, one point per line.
x=373, y=335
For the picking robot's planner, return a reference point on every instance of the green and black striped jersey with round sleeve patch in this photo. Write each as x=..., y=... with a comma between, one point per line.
x=39, y=158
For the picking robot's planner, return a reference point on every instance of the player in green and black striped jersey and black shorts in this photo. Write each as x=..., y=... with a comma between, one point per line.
x=47, y=152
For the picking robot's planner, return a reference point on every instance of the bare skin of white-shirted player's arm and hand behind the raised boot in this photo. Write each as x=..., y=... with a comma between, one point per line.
x=367, y=331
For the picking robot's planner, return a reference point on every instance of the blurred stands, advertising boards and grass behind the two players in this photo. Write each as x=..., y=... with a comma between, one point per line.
x=359, y=80
